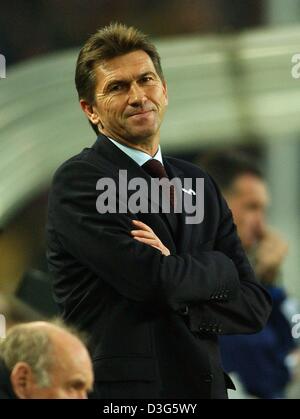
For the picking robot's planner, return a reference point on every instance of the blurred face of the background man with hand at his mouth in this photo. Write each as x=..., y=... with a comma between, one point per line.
x=248, y=200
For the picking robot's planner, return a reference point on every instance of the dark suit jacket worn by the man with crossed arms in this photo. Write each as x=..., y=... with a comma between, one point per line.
x=153, y=321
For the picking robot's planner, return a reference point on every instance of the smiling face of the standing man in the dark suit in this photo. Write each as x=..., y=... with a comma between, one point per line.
x=130, y=98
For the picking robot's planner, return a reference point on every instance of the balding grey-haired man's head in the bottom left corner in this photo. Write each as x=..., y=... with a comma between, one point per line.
x=41, y=360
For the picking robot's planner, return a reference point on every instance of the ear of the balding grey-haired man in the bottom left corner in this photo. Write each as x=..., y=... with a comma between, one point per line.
x=21, y=380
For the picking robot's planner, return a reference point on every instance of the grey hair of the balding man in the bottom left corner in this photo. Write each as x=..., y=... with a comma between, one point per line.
x=34, y=347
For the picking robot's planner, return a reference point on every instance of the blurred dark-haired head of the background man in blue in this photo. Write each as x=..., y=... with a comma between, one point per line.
x=242, y=184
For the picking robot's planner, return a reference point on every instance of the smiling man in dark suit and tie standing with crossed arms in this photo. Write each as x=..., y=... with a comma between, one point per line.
x=152, y=291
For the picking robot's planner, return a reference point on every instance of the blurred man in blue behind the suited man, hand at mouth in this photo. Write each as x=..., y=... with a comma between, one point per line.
x=260, y=360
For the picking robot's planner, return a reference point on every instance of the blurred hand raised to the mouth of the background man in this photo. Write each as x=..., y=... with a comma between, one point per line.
x=270, y=254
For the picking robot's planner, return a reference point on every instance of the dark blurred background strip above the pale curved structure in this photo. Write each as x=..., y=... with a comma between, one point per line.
x=30, y=28
